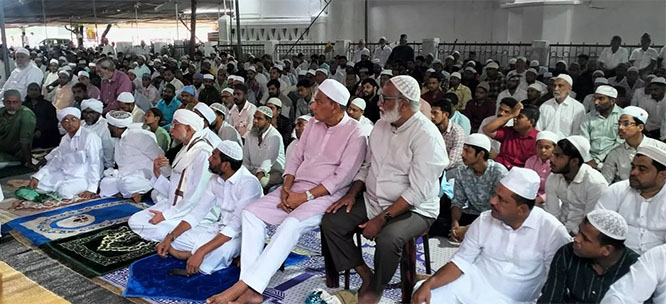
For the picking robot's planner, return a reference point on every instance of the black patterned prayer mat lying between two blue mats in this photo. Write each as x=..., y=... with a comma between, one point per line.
x=99, y=252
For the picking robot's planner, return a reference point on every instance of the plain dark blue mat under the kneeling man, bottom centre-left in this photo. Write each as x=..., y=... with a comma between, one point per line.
x=149, y=278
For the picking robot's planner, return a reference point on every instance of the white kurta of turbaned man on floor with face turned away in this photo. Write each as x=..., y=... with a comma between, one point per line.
x=134, y=153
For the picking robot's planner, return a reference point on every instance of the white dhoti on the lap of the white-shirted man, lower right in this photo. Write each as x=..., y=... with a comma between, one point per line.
x=465, y=290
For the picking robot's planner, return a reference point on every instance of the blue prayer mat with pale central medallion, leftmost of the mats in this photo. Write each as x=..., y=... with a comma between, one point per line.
x=73, y=220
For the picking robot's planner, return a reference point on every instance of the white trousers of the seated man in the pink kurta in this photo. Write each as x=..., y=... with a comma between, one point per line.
x=259, y=264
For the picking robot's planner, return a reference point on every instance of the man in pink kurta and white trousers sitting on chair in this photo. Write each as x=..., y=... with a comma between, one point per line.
x=318, y=173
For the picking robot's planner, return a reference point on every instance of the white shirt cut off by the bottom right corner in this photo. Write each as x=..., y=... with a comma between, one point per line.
x=646, y=278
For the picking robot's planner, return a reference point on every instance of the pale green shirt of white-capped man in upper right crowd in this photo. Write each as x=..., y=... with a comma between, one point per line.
x=601, y=132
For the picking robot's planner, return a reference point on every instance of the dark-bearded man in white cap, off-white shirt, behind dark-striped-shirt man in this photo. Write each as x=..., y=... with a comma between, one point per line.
x=574, y=187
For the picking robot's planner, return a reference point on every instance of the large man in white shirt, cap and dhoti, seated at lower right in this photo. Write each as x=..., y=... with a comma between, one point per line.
x=507, y=250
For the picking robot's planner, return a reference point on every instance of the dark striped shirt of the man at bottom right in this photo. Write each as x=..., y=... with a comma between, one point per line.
x=572, y=279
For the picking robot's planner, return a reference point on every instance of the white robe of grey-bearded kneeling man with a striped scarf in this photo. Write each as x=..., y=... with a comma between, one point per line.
x=179, y=193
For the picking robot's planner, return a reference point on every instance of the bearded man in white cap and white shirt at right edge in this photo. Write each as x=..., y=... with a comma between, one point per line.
x=641, y=200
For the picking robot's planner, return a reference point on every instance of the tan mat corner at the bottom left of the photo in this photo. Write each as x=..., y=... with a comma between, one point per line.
x=17, y=288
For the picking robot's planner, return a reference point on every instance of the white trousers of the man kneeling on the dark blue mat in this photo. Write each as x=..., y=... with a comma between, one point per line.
x=215, y=260
